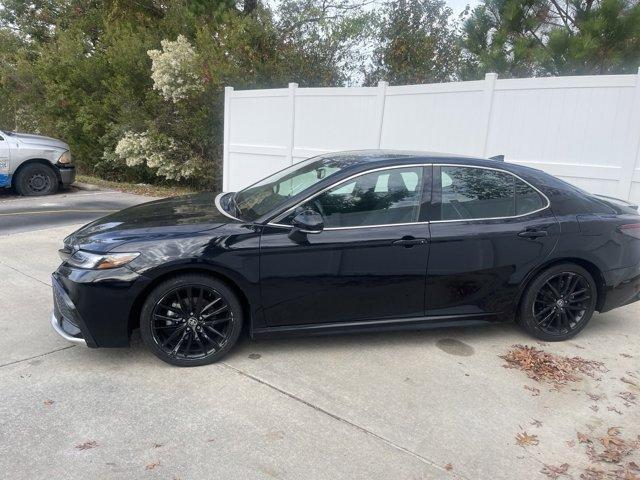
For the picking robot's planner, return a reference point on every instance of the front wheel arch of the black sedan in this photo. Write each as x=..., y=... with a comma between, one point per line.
x=247, y=310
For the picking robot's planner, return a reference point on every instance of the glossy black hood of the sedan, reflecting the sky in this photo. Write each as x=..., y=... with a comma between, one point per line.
x=155, y=220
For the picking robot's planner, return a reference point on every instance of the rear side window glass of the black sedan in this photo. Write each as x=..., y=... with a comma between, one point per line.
x=468, y=193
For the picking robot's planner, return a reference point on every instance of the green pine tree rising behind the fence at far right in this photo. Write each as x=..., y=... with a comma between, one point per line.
x=546, y=37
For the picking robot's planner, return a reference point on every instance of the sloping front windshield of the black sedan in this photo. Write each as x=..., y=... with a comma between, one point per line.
x=274, y=191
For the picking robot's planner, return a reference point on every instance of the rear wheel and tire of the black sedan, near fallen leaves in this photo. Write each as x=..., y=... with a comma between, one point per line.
x=558, y=303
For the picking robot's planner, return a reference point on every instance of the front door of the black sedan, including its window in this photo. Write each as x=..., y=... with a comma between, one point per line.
x=368, y=263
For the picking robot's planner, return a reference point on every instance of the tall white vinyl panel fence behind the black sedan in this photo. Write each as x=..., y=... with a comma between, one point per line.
x=585, y=130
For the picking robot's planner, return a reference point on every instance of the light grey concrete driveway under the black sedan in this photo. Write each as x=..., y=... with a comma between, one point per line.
x=405, y=405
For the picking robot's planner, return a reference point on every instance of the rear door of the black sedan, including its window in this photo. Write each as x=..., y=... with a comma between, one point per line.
x=489, y=229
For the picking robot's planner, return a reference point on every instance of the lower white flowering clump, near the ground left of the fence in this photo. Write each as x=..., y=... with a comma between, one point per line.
x=158, y=152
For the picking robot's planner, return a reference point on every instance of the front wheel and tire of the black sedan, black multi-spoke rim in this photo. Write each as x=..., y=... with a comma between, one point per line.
x=184, y=308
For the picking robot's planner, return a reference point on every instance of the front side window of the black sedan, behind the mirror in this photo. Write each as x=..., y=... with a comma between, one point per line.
x=383, y=197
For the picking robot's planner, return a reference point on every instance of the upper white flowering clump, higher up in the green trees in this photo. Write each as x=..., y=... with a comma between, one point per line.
x=174, y=70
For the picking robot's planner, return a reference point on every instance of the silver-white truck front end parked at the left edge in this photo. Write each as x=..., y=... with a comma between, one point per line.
x=34, y=164
